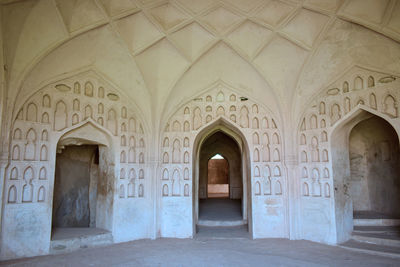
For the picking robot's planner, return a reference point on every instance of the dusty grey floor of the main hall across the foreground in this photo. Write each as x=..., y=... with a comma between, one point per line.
x=205, y=250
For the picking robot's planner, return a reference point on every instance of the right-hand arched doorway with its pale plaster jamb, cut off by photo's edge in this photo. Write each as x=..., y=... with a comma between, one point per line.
x=366, y=172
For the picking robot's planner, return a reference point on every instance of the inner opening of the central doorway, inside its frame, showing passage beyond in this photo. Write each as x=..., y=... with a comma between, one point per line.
x=220, y=181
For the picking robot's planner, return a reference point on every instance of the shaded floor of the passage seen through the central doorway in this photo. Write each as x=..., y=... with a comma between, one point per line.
x=220, y=209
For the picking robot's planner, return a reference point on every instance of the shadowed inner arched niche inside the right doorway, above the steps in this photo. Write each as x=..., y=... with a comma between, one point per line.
x=374, y=183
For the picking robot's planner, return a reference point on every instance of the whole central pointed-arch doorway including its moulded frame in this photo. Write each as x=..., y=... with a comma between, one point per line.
x=222, y=200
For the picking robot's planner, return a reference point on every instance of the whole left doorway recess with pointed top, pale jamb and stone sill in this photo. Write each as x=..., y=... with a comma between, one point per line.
x=82, y=200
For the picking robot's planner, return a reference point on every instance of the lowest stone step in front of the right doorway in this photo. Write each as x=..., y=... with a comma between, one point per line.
x=381, y=250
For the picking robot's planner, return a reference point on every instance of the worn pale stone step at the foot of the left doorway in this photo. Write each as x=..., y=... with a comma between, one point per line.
x=80, y=241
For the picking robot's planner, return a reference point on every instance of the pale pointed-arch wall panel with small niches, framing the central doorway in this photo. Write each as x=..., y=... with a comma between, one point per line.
x=255, y=129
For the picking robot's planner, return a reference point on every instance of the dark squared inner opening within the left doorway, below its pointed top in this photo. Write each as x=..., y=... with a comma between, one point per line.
x=75, y=191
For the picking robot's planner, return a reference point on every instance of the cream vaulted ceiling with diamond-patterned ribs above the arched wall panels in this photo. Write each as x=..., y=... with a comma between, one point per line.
x=163, y=52
